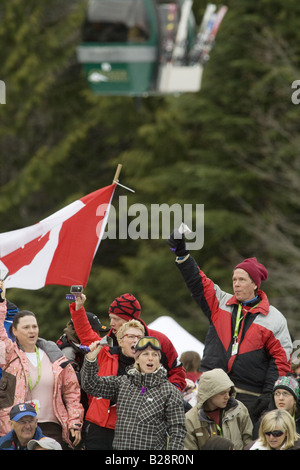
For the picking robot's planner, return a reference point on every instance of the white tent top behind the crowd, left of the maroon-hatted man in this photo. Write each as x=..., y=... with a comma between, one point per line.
x=182, y=340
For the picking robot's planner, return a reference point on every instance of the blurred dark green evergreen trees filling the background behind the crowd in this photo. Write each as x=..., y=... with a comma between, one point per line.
x=232, y=147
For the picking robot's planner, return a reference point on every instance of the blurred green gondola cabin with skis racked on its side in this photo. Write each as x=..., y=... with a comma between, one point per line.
x=146, y=47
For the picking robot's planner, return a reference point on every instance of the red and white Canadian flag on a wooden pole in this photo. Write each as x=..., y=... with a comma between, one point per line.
x=59, y=249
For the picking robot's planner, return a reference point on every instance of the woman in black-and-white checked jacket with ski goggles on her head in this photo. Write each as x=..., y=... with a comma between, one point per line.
x=150, y=410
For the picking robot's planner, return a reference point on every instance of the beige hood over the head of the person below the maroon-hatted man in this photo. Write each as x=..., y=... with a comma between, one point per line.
x=211, y=383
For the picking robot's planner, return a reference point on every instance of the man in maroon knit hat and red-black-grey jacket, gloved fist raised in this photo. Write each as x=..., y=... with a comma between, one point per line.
x=247, y=337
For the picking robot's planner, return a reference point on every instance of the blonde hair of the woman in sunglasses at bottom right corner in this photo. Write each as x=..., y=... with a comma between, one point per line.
x=280, y=420
